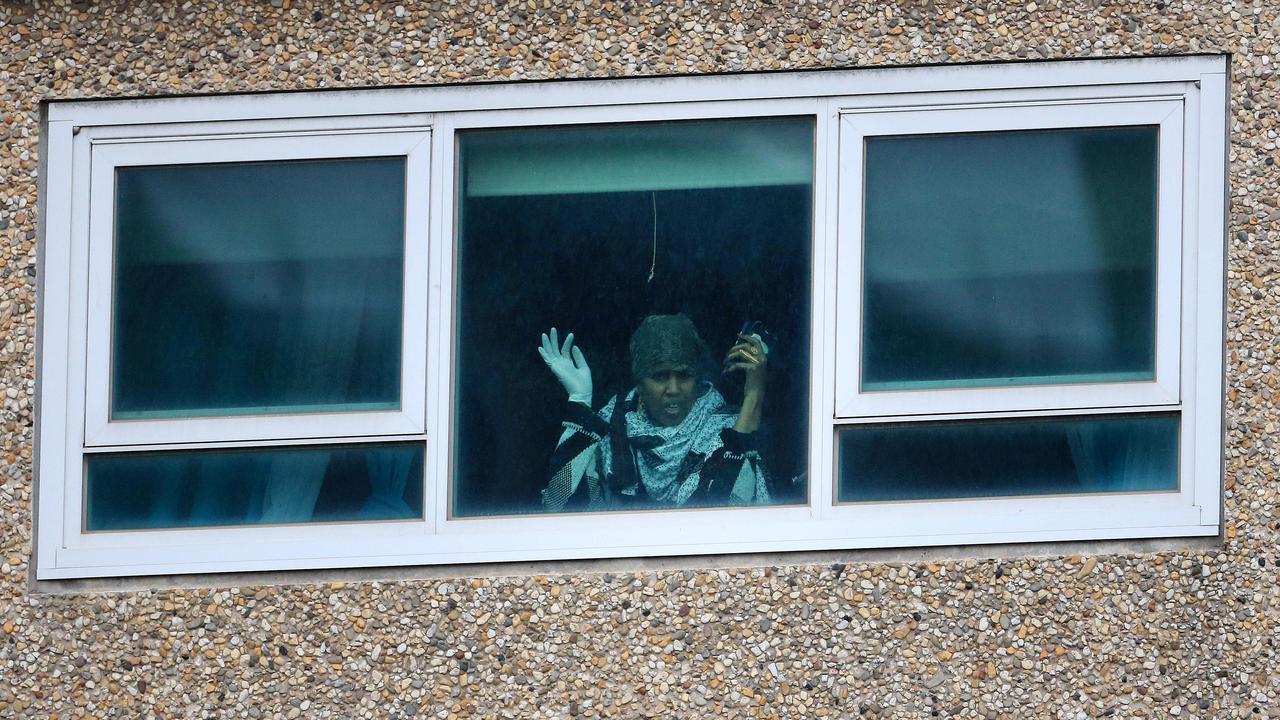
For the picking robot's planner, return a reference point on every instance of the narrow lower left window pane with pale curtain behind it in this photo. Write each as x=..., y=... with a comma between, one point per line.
x=254, y=487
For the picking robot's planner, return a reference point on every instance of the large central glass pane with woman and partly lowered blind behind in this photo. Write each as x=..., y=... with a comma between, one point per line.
x=661, y=247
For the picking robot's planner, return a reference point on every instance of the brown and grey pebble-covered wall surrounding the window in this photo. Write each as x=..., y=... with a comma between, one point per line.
x=1182, y=634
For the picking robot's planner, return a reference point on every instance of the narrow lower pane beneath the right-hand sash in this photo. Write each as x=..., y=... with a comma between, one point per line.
x=1009, y=458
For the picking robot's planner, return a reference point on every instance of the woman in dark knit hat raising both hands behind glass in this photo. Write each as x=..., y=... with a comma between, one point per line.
x=671, y=441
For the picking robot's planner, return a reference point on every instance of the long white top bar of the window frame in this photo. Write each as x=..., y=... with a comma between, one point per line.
x=867, y=83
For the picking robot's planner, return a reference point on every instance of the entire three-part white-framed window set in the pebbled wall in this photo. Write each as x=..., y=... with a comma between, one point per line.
x=808, y=311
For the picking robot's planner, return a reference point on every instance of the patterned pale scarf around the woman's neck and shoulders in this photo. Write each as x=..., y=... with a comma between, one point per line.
x=660, y=452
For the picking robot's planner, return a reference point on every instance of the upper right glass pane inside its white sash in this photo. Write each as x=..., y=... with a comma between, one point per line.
x=1011, y=258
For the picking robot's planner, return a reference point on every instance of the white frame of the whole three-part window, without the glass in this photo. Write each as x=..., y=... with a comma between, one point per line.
x=68, y=431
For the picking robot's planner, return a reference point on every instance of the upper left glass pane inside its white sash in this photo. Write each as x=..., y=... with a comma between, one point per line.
x=258, y=288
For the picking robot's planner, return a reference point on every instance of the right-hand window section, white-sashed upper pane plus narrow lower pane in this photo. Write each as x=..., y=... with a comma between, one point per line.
x=1016, y=266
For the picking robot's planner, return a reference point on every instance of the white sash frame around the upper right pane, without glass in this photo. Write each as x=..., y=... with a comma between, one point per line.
x=856, y=127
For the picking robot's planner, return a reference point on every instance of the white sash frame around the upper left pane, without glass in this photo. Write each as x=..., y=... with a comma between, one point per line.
x=102, y=431
